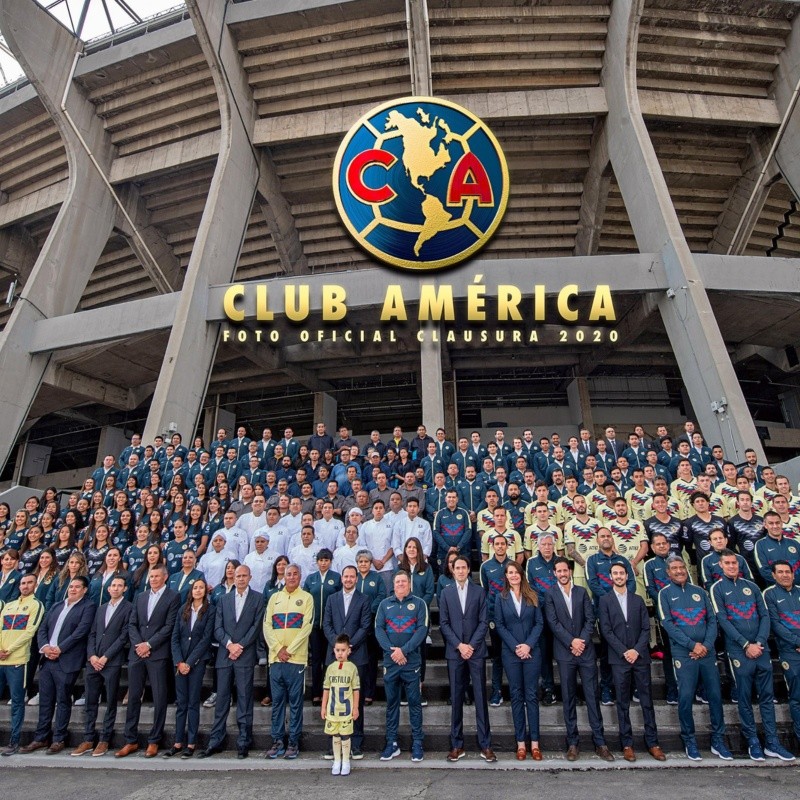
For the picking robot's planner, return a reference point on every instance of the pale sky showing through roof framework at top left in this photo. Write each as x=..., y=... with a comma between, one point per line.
x=69, y=11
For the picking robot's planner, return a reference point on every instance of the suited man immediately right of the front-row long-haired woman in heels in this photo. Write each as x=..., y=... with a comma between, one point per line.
x=568, y=611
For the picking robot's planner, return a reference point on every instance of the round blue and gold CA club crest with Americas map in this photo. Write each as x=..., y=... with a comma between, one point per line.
x=420, y=183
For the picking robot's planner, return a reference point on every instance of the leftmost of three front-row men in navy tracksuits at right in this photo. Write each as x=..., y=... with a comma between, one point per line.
x=688, y=617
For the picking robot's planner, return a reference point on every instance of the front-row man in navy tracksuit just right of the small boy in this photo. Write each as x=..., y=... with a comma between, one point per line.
x=401, y=626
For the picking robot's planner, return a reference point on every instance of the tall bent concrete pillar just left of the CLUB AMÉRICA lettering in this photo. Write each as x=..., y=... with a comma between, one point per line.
x=192, y=345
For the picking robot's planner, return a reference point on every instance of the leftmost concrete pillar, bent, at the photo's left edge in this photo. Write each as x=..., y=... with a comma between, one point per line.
x=46, y=50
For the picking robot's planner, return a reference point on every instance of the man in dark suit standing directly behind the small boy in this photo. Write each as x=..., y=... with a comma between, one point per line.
x=348, y=611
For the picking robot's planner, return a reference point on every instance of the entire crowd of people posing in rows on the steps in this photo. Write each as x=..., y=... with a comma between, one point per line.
x=325, y=556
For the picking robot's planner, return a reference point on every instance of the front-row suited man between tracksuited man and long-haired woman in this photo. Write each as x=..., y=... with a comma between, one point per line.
x=464, y=620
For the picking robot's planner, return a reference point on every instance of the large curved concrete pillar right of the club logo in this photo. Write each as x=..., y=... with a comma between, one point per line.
x=693, y=332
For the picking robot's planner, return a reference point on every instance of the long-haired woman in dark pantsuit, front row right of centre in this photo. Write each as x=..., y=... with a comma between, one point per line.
x=519, y=622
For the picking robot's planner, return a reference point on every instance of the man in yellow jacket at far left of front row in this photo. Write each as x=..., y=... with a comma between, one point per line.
x=18, y=625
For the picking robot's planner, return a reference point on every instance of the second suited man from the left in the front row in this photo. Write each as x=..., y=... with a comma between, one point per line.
x=106, y=651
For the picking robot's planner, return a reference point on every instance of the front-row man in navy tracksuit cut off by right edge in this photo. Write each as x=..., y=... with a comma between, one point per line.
x=783, y=603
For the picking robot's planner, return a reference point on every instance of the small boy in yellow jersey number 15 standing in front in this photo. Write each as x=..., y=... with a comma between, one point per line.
x=340, y=692
